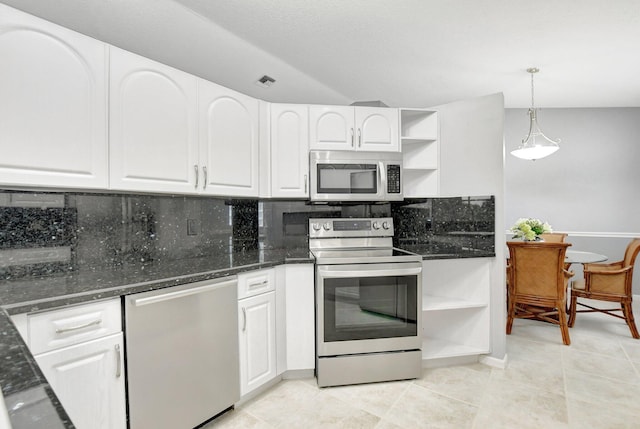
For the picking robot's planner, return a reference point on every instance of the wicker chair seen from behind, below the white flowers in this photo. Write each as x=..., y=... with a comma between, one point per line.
x=538, y=284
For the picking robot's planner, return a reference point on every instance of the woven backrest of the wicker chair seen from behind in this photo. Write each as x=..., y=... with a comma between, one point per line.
x=537, y=269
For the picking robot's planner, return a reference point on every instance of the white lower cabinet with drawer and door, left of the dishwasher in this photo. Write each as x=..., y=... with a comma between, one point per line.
x=80, y=351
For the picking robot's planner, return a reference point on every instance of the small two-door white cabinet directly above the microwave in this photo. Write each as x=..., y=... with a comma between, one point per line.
x=353, y=128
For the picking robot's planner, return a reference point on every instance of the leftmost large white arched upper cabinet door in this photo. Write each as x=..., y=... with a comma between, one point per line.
x=52, y=105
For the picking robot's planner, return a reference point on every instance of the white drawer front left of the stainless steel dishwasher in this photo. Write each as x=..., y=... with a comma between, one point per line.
x=67, y=326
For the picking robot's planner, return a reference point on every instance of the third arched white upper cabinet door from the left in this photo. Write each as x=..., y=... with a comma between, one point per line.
x=229, y=123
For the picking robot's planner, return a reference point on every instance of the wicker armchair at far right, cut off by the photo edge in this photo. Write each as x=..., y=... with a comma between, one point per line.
x=608, y=282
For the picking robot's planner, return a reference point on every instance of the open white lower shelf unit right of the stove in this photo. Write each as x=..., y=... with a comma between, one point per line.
x=455, y=303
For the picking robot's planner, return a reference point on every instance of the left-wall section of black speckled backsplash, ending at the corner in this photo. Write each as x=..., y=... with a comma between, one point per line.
x=42, y=233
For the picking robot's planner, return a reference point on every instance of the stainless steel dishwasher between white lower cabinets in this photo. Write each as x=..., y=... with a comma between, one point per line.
x=182, y=354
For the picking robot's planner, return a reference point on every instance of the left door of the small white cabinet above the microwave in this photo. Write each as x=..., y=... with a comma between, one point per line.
x=331, y=128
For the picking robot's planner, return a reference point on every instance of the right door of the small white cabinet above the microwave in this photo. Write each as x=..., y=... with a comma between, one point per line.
x=377, y=129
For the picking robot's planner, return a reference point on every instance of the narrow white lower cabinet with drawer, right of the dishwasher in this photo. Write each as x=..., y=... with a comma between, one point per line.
x=257, y=329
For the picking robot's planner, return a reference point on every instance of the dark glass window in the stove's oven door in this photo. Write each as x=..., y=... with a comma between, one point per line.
x=370, y=307
